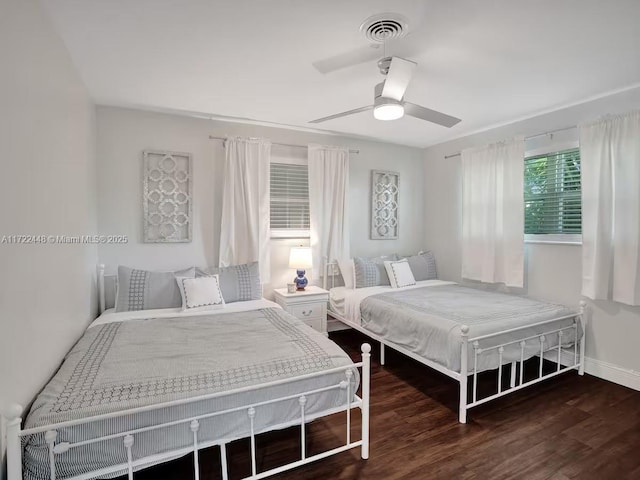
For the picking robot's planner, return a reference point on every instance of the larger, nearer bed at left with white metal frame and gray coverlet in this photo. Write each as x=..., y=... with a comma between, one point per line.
x=143, y=387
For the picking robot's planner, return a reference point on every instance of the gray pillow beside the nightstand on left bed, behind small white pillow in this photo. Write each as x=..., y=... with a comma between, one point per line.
x=239, y=283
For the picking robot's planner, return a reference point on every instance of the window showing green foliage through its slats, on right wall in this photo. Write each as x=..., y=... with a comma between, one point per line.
x=552, y=199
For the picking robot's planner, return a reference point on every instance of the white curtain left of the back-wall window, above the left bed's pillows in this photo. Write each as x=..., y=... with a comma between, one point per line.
x=245, y=229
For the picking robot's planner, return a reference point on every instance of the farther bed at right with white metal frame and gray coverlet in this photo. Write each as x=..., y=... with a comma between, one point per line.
x=461, y=331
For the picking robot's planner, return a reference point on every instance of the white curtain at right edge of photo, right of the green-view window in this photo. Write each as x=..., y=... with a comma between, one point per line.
x=610, y=158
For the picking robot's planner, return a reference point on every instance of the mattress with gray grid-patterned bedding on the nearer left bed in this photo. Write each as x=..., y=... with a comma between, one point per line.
x=135, y=359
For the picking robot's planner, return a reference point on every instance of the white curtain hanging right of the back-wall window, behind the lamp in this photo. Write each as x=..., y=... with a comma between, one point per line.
x=328, y=205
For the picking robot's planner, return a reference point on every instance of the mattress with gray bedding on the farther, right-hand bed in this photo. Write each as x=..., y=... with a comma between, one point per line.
x=426, y=319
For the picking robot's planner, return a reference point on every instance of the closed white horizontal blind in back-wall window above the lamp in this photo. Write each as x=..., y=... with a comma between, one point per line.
x=289, y=197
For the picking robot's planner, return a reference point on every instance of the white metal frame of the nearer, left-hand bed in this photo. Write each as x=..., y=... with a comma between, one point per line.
x=15, y=433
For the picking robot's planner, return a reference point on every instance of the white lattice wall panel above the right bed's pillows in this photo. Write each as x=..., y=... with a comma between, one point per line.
x=385, y=192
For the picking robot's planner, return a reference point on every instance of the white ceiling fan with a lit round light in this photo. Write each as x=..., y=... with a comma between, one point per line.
x=389, y=103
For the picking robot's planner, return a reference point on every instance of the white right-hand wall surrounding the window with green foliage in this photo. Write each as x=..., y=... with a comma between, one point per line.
x=553, y=271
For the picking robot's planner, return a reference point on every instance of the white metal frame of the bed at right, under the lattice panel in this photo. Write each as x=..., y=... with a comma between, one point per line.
x=571, y=358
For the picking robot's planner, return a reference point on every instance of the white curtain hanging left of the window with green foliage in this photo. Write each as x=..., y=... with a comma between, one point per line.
x=493, y=213
